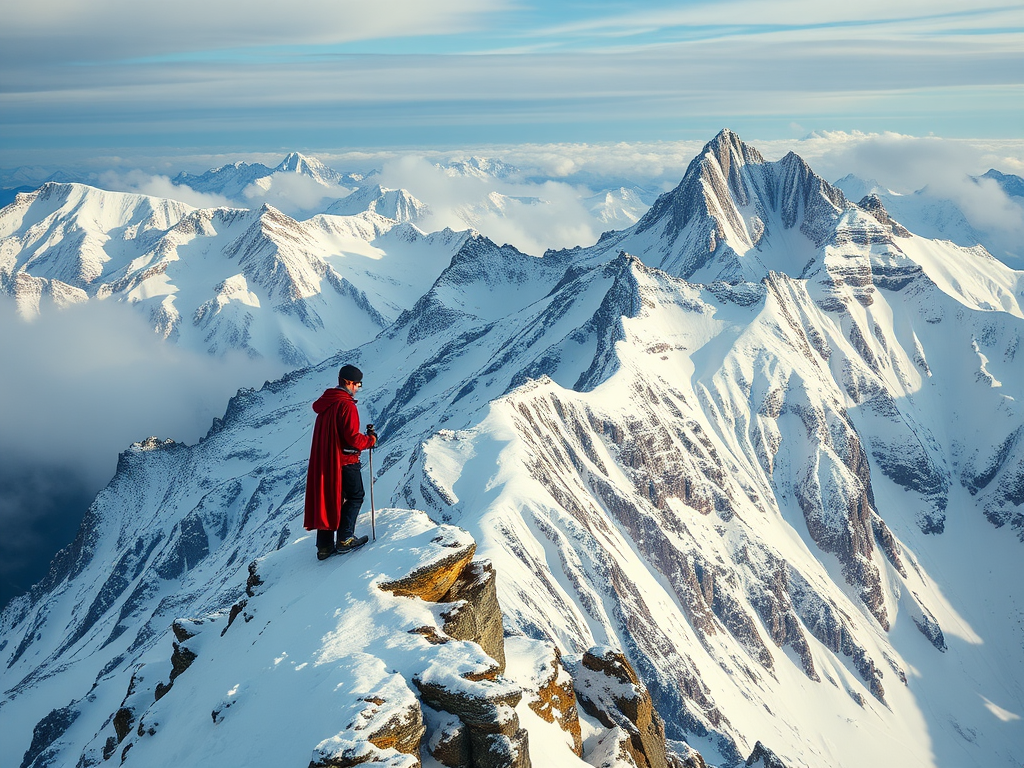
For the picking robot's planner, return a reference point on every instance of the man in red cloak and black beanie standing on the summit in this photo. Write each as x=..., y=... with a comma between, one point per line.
x=334, y=482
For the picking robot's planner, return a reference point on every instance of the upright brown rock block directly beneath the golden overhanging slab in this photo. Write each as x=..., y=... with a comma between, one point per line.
x=477, y=615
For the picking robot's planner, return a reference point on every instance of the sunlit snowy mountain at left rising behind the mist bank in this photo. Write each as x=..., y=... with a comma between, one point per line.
x=220, y=280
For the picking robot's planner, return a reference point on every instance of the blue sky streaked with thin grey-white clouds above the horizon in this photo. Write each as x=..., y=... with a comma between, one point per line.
x=320, y=75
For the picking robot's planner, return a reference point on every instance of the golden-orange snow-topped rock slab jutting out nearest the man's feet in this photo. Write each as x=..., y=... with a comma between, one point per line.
x=444, y=558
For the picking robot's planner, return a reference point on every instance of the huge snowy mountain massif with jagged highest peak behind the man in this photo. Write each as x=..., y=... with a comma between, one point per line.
x=762, y=442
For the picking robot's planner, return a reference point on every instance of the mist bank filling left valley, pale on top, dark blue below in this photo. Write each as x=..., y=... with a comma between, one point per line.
x=79, y=387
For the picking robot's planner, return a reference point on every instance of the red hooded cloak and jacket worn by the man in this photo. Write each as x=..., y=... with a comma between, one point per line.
x=337, y=429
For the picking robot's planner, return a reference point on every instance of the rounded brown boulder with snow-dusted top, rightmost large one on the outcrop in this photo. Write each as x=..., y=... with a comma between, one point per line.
x=609, y=689
